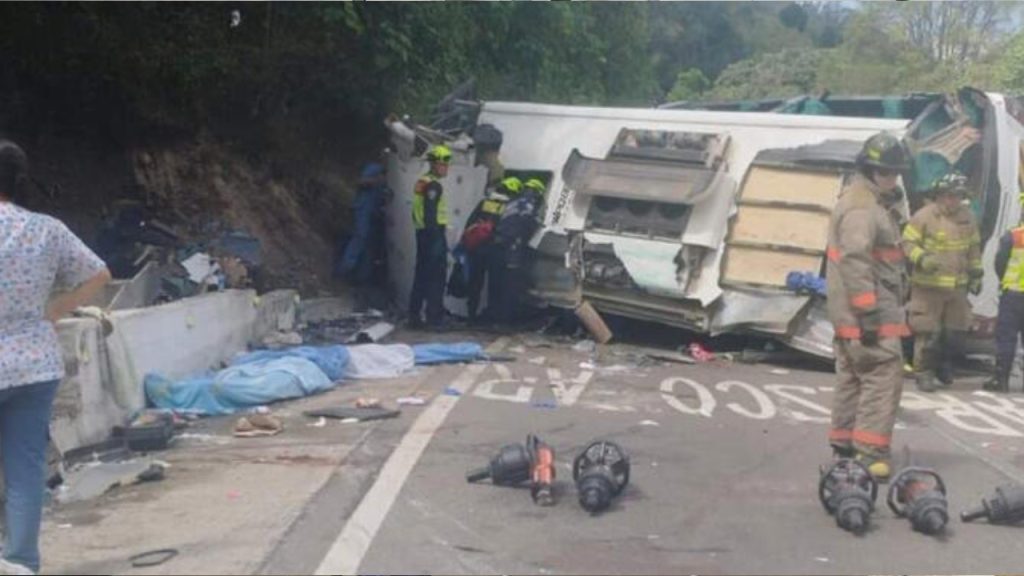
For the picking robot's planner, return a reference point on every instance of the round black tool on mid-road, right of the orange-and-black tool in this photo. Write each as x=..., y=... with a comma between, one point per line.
x=601, y=473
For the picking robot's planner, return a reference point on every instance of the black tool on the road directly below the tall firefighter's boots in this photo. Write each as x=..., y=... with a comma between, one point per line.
x=848, y=491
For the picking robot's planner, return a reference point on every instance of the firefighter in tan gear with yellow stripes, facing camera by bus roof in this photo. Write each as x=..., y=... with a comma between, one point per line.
x=945, y=248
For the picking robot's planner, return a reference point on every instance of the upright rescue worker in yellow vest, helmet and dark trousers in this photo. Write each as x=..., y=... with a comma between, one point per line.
x=431, y=222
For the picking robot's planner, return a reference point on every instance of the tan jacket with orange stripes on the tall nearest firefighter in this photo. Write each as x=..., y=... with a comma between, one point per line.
x=866, y=270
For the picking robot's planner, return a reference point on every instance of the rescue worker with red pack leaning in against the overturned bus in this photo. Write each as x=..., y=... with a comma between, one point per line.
x=478, y=239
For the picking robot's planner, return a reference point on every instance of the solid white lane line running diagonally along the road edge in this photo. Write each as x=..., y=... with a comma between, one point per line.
x=348, y=552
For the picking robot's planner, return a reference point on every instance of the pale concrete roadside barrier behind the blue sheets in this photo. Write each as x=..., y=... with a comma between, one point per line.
x=104, y=387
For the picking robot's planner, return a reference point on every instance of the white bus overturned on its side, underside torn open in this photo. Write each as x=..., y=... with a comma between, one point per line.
x=696, y=216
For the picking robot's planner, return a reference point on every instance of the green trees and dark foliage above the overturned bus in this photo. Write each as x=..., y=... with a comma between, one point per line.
x=331, y=71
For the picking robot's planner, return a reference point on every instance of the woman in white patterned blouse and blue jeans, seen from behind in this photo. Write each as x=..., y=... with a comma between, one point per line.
x=37, y=256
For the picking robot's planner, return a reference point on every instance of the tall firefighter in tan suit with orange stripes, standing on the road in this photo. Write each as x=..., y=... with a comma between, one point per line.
x=867, y=280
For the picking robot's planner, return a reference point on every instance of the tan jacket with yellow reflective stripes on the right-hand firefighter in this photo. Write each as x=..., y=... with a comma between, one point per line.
x=952, y=241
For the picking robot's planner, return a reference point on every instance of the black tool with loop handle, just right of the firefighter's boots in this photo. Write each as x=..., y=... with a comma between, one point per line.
x=920, y=496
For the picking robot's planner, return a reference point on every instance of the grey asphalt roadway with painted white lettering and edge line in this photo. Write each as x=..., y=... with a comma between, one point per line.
x=726, y=460
